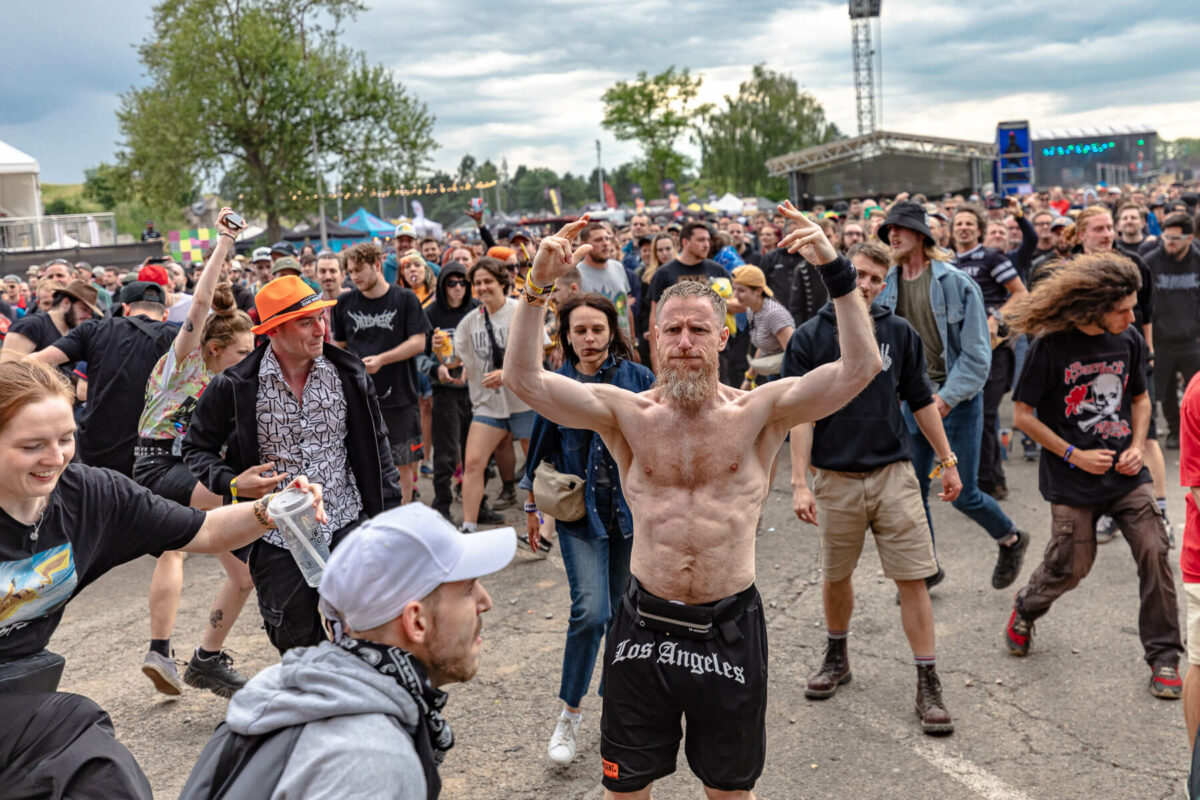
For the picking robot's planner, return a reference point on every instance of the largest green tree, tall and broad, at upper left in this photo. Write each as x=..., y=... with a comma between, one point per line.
x=238, y=92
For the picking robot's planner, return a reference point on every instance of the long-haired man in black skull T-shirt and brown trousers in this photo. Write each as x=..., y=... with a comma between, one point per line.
x=1083, y=398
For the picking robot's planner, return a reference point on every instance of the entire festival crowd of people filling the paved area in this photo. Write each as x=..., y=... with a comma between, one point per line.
x=651, y=375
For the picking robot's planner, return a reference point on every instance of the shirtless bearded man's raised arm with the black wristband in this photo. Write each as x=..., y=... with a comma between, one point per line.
x=832, y=386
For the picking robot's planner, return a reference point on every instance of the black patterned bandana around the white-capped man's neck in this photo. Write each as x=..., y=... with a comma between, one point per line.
x=434, y=735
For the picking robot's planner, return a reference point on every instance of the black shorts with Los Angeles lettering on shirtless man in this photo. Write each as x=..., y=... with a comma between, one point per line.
x=716, y=681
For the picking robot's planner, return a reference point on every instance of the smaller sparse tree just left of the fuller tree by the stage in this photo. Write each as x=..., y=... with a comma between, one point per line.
x=656, y=112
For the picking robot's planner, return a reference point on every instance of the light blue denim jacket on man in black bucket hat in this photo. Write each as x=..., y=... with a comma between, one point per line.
x=963, y=324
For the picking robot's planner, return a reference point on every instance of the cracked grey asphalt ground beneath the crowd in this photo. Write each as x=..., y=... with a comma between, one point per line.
x=1075, y=720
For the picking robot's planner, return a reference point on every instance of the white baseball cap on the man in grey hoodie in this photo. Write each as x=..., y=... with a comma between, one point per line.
x=400, y=557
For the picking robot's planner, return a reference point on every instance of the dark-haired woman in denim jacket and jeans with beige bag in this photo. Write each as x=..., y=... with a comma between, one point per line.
x=596, y=548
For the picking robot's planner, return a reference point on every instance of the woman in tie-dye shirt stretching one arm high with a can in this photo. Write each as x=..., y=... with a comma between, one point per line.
x=206, y=346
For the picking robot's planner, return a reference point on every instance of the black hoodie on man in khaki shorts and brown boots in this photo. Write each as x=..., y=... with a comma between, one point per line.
x=869, y=432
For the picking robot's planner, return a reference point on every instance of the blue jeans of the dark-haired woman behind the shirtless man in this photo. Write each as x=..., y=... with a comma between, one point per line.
x=598, y=573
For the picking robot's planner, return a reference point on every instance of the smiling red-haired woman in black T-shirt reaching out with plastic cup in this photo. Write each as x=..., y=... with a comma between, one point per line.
x=62, y=527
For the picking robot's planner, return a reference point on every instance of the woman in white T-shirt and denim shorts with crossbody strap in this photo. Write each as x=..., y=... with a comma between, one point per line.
x=479, y=345
